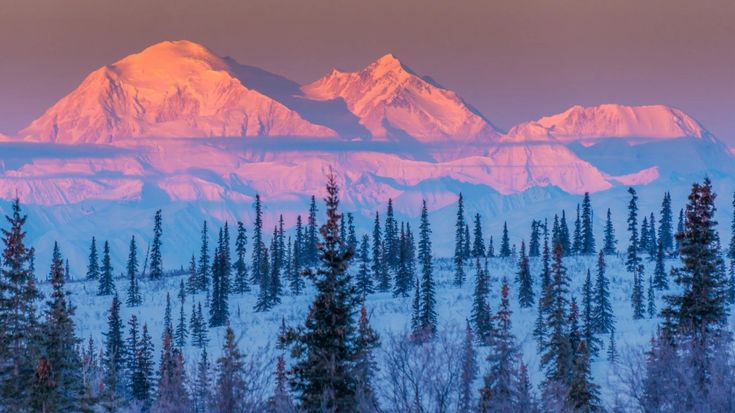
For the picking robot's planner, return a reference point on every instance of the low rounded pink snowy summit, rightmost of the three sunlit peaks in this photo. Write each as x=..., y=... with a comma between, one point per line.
x=635, y=124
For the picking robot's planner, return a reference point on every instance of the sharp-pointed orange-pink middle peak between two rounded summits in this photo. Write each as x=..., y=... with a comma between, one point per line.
x=393, y=102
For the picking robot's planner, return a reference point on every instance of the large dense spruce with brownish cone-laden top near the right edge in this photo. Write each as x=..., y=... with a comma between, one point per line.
x=697, y=313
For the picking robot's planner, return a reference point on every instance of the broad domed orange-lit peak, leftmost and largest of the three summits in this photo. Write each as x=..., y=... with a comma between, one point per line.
x=171, y=89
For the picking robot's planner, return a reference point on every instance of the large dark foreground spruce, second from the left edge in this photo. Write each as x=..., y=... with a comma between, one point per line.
x=58, y=381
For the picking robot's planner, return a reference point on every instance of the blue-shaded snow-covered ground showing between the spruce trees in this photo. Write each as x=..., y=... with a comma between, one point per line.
x=258, y=331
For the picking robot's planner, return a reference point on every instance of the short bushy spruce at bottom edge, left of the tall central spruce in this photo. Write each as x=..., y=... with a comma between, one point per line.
x=230, y=386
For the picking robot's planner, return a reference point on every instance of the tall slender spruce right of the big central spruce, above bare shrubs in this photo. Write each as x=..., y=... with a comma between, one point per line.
x=428, y=302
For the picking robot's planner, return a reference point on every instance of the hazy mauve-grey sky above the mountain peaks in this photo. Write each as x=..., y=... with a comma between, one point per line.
x=513, y=60
